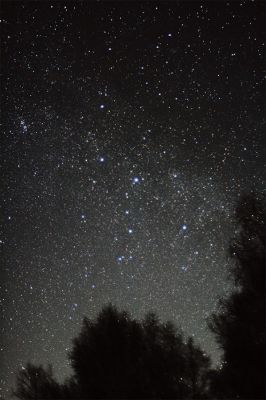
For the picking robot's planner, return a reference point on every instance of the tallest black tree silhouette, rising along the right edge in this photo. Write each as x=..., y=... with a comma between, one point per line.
x=239, y=326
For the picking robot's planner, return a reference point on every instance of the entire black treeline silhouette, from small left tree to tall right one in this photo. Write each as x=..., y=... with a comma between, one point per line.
x=115, y=356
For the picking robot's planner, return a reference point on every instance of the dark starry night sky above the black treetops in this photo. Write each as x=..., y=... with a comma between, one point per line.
x=129, y=129
